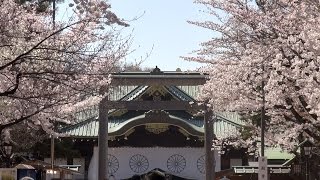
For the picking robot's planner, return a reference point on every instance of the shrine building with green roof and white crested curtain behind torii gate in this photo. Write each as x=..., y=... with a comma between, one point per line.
x=142, y=139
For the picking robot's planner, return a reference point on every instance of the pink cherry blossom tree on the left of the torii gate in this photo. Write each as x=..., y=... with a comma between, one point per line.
x=48, y=71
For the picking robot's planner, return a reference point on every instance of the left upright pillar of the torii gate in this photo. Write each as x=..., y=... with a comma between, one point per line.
x=103, y=140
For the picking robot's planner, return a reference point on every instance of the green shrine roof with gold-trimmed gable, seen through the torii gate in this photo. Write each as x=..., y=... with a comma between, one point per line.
x=121, y=121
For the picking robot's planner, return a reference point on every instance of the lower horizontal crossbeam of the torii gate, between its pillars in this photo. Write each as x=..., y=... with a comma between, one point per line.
x=153, y=105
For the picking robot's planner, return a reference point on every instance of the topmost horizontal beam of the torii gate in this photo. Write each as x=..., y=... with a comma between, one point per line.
x=152, y=80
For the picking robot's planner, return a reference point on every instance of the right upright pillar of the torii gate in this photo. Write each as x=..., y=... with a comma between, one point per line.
x=209, y=153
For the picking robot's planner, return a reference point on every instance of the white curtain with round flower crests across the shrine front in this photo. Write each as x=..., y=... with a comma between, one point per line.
x=156, y=158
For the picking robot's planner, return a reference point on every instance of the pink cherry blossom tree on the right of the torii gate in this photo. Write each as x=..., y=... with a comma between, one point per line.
x=265, y=49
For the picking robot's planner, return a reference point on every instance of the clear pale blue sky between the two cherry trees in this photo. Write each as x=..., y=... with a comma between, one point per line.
x=161, y=34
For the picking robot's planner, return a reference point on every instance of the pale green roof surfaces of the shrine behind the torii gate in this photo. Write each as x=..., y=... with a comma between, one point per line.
x=87, y=126
